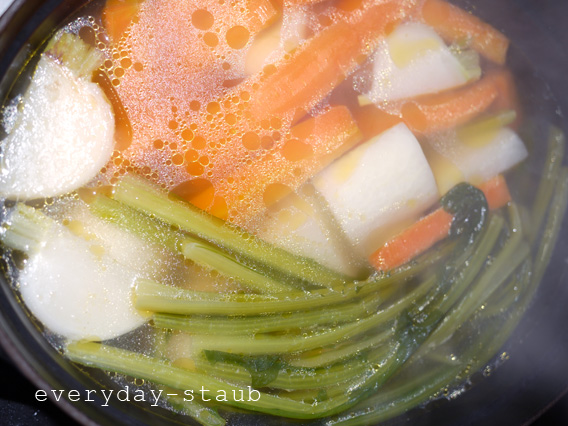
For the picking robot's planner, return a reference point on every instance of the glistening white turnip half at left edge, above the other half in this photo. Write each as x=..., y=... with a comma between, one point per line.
x=62, y=136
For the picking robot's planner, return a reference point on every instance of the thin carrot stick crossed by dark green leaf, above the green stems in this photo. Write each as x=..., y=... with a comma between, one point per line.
x=431, y=229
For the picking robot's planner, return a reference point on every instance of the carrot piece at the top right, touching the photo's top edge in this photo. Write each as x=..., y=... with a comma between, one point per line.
x=457, y=25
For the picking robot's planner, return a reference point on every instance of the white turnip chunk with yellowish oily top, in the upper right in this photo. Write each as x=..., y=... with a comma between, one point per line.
x=413, y=60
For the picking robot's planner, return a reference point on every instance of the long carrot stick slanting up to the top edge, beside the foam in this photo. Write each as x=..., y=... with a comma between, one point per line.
x=325, y=60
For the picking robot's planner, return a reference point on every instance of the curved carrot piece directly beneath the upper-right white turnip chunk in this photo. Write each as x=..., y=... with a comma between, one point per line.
x=445, y=110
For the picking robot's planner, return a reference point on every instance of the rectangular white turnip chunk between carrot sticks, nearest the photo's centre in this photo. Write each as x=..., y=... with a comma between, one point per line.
x=394, y=165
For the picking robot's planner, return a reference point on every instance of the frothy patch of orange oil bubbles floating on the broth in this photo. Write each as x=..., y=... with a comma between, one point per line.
x=197, y=127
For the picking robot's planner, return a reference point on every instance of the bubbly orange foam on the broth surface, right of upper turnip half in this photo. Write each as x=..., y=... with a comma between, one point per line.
x=178, y=75
